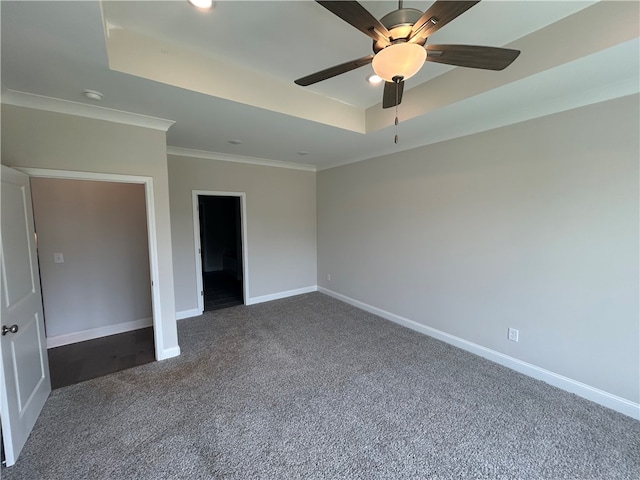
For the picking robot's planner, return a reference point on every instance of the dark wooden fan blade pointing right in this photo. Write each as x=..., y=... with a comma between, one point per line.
x=472, y=56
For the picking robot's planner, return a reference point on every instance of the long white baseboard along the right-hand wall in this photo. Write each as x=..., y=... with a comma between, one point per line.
x=596, y=395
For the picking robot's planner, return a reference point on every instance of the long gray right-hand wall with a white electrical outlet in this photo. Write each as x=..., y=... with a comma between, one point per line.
x=532, y=226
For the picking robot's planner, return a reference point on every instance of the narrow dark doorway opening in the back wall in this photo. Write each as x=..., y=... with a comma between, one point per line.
x=221, y=251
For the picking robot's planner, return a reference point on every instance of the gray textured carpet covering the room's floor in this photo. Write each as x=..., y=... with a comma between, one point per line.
x=311, y=388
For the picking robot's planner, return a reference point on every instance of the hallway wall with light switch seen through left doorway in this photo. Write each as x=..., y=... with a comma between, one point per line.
x=101, y=229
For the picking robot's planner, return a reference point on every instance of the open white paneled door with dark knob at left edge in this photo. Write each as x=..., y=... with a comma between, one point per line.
x=24, y=383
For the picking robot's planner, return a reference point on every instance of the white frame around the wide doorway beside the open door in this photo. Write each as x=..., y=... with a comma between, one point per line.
x=151, y=230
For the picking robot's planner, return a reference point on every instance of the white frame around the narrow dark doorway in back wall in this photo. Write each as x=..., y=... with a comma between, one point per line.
x=196, y=236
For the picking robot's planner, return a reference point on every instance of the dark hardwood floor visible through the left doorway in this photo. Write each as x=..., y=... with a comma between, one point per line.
x=82, y=361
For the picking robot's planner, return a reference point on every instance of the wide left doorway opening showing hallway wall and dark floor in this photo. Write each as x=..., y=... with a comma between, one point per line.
x=94, y=268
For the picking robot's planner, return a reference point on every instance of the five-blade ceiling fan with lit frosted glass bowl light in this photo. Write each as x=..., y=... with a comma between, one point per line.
x=400, y=45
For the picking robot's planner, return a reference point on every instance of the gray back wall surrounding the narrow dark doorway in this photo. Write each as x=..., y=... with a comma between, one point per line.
x=281, y=223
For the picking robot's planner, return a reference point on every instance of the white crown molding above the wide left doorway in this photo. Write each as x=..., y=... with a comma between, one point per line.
x=50, y=104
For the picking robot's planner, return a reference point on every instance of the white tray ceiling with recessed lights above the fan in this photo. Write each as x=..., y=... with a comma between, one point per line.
x=254, y=51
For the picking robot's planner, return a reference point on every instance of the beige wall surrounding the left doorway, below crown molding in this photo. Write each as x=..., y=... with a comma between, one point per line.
x=47, y=140
